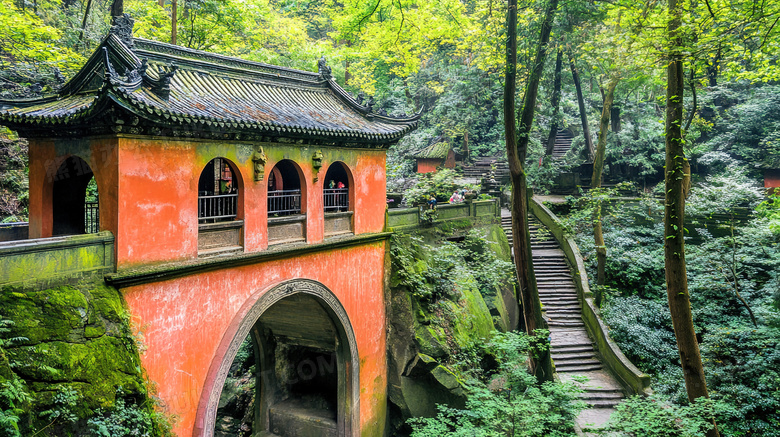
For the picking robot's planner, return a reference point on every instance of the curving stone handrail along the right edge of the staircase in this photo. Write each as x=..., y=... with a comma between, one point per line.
x=626, y=372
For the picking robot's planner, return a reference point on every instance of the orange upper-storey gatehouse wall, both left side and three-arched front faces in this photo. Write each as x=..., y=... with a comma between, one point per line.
x=148, y=190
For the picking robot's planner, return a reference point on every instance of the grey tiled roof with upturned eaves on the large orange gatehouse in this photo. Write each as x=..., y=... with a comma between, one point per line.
x=137, y=86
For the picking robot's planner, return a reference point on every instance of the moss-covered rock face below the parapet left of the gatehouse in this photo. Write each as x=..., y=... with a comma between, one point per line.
x=70, y=355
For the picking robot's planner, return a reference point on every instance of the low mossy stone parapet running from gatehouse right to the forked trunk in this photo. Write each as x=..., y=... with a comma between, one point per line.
x=477, y=210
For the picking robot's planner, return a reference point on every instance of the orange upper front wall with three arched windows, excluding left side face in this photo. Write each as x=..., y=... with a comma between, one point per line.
x=158, y=194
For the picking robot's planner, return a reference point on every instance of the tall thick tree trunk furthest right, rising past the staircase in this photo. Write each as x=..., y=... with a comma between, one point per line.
x=674, y=217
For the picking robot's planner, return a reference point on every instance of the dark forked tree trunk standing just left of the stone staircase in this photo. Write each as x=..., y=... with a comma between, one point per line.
x=516, y=147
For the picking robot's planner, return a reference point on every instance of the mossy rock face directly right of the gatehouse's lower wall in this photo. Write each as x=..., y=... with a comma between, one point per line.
x=443, y=298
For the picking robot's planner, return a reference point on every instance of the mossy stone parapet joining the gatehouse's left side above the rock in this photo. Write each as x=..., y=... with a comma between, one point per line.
x=49, y=258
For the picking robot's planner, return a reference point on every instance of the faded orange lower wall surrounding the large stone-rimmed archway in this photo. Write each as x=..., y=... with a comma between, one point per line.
x=183, y=322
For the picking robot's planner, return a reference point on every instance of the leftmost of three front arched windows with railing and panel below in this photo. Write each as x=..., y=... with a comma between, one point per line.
x=219, y=219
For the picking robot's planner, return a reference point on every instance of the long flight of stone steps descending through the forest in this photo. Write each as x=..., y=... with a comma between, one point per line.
x=572, y=350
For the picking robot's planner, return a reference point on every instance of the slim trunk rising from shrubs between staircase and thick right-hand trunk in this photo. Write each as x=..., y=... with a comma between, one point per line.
x=595, y=182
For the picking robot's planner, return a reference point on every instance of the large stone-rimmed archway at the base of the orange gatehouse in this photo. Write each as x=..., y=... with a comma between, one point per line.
x=305, y=367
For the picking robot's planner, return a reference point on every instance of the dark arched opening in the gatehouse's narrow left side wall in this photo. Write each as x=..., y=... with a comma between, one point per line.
x=75, y=199
